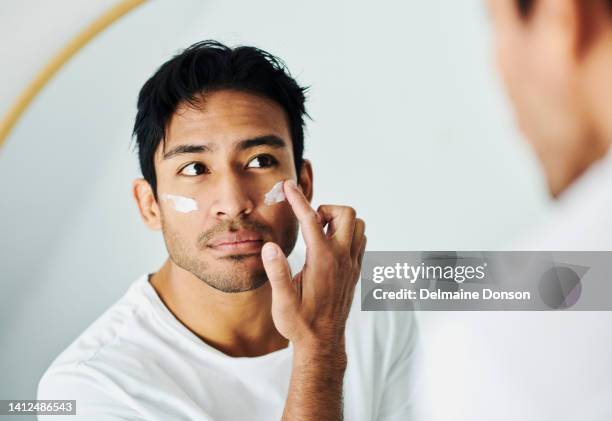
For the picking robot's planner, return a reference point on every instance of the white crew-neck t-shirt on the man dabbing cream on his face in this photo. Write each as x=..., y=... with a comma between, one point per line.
x=138, y=362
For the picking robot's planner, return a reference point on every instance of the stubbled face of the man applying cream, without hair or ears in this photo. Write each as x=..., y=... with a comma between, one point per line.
x=226, y=155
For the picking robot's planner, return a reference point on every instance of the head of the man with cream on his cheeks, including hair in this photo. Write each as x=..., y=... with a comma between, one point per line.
x=216, y=128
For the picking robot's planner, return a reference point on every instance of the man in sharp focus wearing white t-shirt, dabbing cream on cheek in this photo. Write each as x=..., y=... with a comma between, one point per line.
x=223, y=331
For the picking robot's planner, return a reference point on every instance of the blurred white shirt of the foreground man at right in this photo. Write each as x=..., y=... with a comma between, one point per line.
x=532, y=366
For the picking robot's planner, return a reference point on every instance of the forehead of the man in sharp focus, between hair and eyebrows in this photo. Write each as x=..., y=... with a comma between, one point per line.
x=226, y=117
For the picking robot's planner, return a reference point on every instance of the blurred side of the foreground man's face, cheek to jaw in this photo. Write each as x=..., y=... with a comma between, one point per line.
x=537, y=60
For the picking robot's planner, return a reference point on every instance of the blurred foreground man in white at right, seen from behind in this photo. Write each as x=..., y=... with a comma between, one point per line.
x=555, y=57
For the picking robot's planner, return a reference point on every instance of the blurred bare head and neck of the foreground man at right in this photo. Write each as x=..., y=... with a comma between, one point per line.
x=556, y=59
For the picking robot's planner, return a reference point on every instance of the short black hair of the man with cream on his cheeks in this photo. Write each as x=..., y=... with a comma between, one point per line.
x=209, y=66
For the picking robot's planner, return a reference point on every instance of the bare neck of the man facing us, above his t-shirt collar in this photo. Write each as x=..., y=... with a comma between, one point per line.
x=237, y=324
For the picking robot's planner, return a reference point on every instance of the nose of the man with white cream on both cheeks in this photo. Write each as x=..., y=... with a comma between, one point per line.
x=231, y=198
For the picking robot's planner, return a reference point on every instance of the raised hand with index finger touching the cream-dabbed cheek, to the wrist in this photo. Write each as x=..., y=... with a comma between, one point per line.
x=311, y=309
